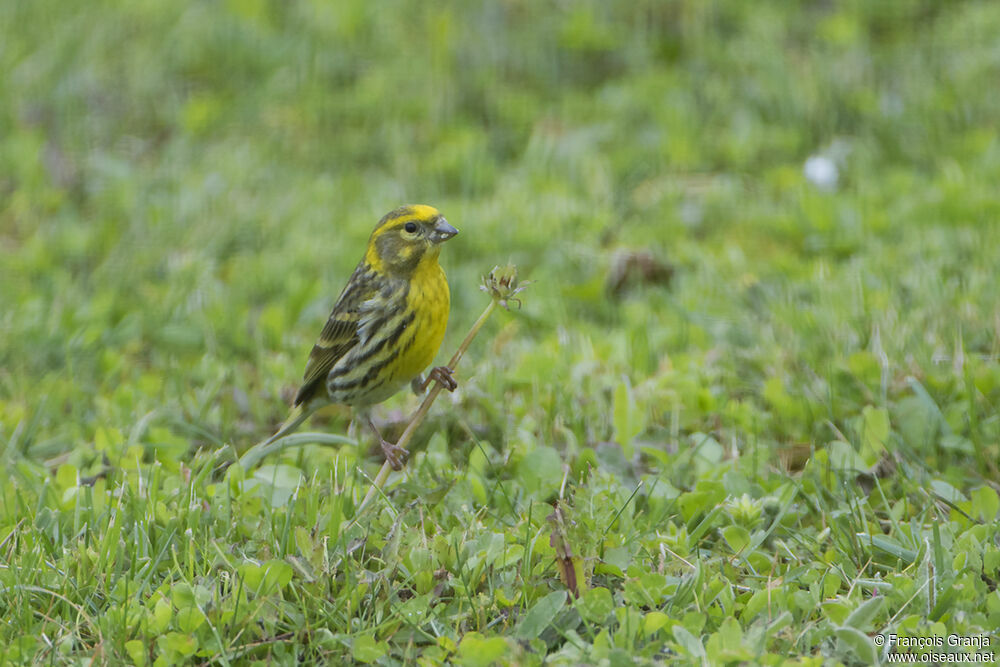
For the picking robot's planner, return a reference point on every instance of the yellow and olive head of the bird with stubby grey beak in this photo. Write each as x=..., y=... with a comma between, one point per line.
x=407, y=236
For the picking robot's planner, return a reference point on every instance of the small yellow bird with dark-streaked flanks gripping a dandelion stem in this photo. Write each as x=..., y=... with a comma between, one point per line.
x=387, y=324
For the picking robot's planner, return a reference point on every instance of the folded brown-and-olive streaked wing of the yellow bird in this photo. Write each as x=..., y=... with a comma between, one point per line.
x=344, y=329
